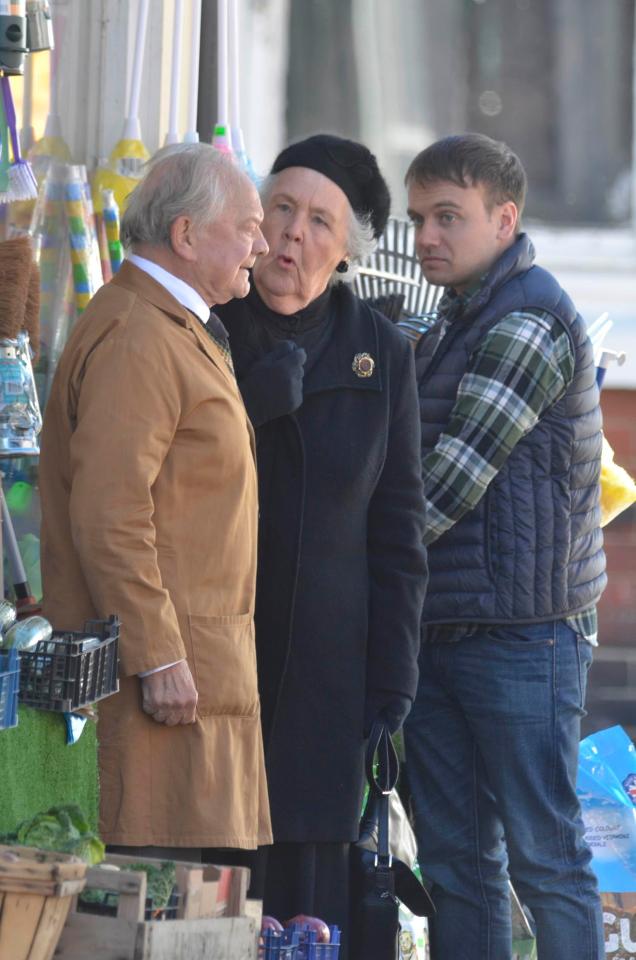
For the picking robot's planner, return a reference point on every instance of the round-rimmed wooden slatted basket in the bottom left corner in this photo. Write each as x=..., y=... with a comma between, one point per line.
x=36, y=890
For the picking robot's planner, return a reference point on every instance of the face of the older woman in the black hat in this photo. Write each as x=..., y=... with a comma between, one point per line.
x=306, y=226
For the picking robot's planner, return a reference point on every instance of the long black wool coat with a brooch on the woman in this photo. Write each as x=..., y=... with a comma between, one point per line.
x=342, y=569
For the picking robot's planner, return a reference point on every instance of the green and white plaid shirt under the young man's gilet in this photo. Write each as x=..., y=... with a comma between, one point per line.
x=521, y=368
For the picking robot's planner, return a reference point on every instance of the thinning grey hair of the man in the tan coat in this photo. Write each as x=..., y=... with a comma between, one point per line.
x=192, y=179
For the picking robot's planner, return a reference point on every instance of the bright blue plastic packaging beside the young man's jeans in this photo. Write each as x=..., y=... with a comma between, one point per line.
x=606, y=788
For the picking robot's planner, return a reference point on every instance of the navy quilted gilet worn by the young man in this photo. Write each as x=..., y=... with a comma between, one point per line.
x=532, y=549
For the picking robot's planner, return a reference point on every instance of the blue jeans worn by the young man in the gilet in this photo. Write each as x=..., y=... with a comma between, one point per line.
x=492, y=751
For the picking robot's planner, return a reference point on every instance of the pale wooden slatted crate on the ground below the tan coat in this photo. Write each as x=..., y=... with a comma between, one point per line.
x=127, y=936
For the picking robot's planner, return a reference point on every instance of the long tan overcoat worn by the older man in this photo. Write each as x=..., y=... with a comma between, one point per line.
x=149, y=509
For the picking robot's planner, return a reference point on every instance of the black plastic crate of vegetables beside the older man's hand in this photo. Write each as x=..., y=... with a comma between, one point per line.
x=71, y=669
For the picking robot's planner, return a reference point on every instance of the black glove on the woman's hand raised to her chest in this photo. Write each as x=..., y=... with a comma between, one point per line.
x=273, y=387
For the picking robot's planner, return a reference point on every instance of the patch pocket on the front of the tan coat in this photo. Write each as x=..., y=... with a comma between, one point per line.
x=224, y=662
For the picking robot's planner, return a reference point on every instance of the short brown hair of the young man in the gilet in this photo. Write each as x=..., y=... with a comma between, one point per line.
x=469, y=159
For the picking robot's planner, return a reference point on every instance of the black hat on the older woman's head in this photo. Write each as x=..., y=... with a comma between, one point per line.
x=350, y=165
